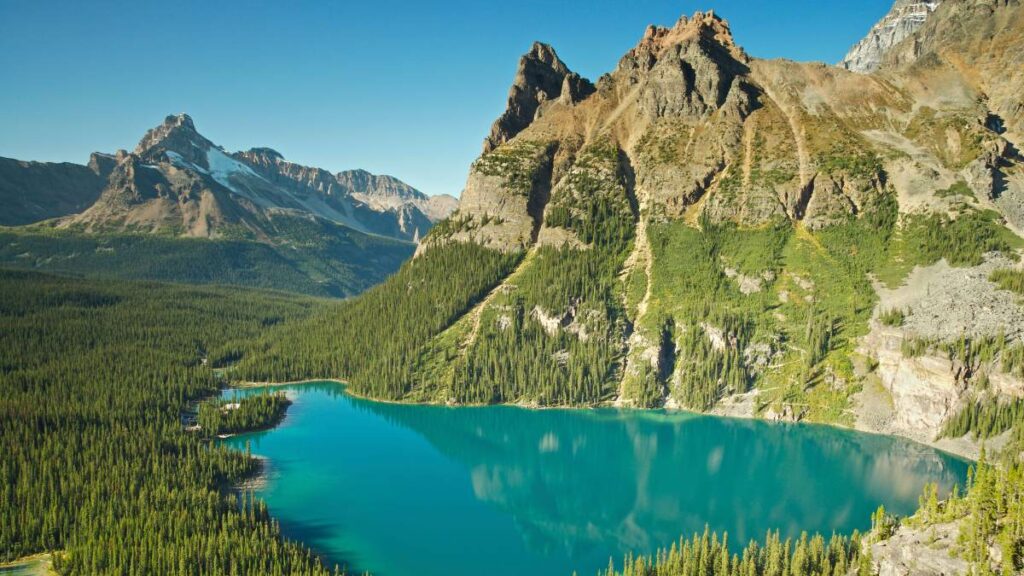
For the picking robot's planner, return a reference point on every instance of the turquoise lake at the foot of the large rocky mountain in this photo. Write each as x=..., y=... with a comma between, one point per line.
x=421, y=490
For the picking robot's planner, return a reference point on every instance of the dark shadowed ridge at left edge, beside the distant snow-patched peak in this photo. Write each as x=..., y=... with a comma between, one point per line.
x=31, y=192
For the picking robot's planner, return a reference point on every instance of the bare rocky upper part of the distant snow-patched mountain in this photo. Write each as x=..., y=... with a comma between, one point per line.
x=179, y=181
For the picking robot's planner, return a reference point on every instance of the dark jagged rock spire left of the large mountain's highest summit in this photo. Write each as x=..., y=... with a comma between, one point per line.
x=542, y=77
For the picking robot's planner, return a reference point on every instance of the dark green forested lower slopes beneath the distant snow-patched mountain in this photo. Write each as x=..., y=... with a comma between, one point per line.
x=318, y=259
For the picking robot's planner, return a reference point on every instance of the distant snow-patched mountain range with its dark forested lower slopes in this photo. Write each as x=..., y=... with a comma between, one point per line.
x=337, y=233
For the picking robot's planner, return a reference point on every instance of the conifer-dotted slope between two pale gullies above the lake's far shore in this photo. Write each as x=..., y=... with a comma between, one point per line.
x=515, y=358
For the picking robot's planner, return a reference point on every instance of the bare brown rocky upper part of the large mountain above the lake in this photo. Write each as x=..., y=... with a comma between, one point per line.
x=705, y=130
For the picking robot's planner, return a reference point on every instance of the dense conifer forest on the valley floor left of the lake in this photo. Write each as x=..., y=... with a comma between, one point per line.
x=96, y=466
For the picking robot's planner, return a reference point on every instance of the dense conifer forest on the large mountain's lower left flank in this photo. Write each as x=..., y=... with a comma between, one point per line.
x=375, y=342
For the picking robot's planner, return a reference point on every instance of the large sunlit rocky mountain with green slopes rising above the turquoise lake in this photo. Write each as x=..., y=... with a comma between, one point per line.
x=710, y=231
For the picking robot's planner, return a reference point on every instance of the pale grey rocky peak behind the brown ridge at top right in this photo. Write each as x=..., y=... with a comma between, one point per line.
x=906, y=18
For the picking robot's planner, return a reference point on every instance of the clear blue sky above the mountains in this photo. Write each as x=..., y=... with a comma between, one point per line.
x=408, y=89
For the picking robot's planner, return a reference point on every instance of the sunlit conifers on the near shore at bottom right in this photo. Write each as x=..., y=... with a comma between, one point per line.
x=990, y=516
